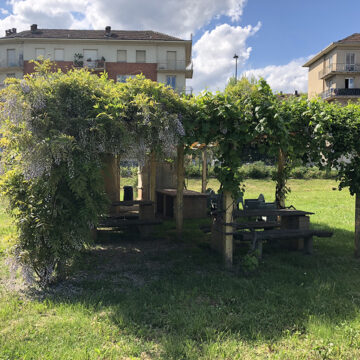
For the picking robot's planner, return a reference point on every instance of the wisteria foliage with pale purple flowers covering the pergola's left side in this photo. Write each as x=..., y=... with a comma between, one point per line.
x=55, y=127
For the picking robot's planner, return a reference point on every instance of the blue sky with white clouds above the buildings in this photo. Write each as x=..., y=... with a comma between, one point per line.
x=273, y=38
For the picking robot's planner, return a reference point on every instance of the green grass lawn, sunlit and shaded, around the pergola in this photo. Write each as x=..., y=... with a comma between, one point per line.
x=162, y=299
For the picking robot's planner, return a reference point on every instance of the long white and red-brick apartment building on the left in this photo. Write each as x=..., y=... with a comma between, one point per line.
x=121, y=54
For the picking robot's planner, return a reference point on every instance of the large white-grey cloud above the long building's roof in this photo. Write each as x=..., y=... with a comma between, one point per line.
x=179, y=18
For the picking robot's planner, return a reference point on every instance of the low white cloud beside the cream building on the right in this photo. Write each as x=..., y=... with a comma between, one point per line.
x=286, y=78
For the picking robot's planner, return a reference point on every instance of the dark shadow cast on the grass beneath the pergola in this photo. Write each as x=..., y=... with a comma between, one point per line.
x=178, y=293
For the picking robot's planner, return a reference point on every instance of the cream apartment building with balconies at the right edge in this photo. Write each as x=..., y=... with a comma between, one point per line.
x=334, y=73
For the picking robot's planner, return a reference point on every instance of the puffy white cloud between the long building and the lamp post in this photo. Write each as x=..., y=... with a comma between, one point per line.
x=213, y=55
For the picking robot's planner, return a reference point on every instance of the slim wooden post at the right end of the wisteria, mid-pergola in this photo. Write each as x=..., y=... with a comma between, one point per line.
x=180, y=190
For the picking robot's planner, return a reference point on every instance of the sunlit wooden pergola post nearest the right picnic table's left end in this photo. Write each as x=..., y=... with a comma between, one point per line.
x=228, y=207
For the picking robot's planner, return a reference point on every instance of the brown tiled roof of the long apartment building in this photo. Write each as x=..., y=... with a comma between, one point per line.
x=92, y=34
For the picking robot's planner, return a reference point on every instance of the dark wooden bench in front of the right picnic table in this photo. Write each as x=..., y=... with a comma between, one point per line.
x=257, y=237
